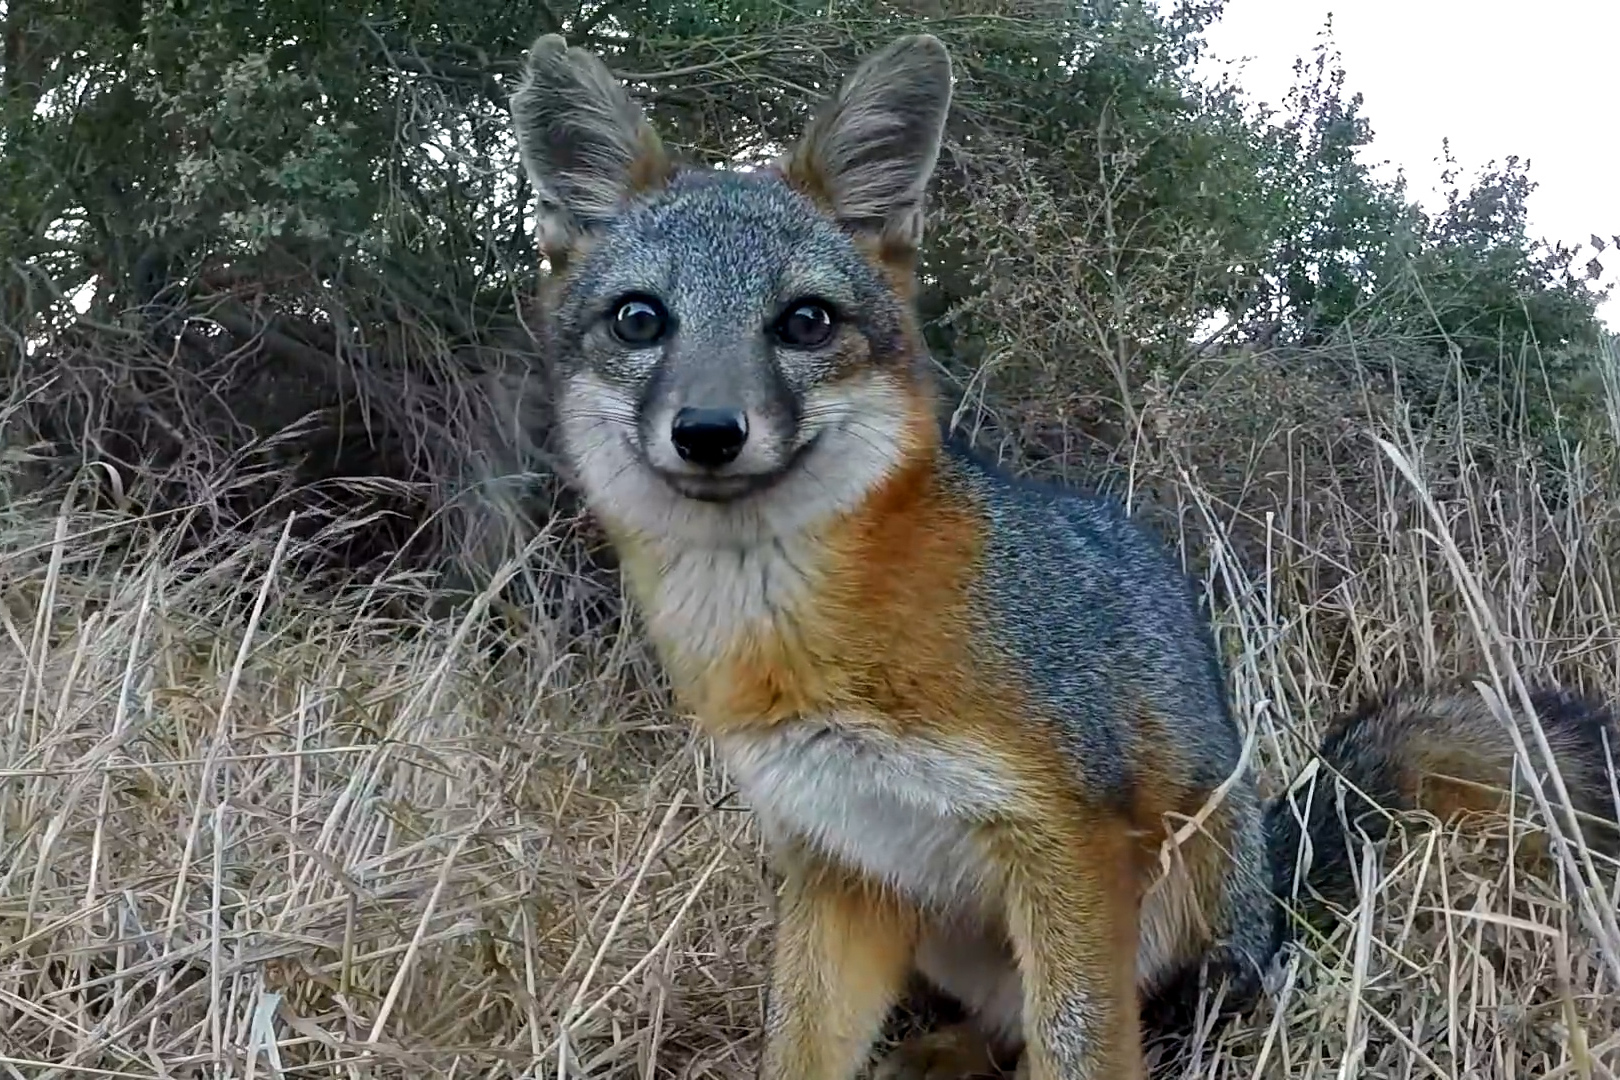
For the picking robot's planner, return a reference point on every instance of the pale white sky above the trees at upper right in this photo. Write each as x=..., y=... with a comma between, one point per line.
x=1537, y=80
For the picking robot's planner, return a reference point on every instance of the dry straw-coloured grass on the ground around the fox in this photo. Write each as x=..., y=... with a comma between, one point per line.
x=252, y=831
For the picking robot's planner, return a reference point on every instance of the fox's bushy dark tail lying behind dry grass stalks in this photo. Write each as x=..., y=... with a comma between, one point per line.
x=1443, y=752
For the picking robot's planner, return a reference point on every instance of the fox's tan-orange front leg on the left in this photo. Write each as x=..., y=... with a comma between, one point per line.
x=843, y=955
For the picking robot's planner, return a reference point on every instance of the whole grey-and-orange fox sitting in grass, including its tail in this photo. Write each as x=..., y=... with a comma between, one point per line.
x=966, y=710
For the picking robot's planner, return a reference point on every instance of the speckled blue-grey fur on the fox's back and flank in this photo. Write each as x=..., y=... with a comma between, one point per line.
x=1106, y=624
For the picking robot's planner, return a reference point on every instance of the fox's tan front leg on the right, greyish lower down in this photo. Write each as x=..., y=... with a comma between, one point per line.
x=1072, y=914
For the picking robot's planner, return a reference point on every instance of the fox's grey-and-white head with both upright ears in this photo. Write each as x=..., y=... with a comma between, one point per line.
x=736, y=352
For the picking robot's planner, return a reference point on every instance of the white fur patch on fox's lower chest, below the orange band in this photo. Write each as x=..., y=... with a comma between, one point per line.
x=905, y=812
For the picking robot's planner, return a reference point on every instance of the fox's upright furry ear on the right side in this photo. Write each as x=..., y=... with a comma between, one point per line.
x=871, y=151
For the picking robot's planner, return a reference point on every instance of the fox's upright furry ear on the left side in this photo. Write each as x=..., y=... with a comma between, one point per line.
x=586, y=145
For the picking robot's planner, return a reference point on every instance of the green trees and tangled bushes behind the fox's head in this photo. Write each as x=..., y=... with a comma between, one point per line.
x=288, y=242
